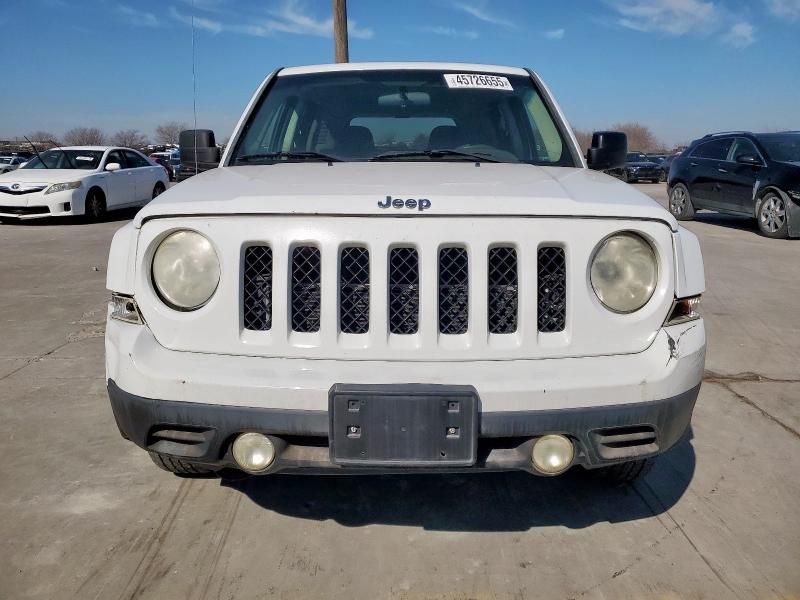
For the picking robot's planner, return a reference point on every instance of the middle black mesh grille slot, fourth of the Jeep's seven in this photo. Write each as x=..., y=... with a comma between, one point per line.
x=403, y=291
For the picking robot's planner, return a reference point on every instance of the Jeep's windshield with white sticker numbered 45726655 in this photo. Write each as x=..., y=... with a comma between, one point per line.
x=357, y=116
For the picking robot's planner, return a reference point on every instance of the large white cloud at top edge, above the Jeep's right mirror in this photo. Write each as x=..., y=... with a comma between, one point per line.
x=673, y=17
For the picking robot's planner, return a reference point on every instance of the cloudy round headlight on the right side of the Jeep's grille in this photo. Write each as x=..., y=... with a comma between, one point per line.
x=624, y=272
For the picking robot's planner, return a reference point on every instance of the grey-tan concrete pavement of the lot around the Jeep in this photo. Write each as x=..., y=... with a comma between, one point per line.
x=86, y=515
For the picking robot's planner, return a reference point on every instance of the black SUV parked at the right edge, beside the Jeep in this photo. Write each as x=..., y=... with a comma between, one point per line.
x=741, y=173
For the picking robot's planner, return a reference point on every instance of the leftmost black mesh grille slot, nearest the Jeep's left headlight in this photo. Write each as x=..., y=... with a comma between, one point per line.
x=257, y=288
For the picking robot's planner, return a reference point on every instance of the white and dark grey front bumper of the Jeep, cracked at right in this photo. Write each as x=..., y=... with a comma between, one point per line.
x=613, y=408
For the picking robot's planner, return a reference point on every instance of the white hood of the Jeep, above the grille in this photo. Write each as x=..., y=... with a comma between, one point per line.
x=356, y=188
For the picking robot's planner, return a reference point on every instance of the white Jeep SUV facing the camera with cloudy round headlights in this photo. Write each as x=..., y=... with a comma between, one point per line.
x=405, y=267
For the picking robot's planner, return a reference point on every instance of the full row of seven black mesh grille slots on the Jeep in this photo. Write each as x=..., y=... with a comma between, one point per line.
x=403, y=289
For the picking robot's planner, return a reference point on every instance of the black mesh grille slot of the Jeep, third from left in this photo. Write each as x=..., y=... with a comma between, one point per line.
x=354, y=290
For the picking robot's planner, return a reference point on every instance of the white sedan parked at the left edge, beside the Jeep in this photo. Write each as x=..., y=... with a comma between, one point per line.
x=80, y=181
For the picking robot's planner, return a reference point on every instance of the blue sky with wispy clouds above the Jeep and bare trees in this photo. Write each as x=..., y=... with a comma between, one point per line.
x=683, y=67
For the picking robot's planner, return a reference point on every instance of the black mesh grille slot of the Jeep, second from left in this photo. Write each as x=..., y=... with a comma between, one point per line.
x=306, y=296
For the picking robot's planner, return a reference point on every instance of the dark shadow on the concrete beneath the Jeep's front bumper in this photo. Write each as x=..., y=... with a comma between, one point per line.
x=502, y=502
